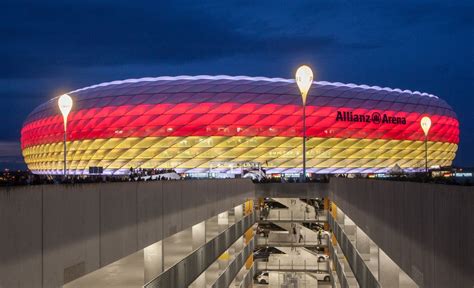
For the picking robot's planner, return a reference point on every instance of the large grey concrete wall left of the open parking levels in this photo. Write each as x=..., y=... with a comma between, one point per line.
x=52, y=234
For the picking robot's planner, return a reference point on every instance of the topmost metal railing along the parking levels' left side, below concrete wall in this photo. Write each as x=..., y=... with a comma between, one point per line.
x=183, y=273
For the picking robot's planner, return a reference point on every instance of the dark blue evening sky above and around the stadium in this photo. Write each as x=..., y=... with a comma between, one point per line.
x=54, y=46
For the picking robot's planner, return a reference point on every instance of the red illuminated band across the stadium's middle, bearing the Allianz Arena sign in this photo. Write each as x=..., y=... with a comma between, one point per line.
x=231, y=119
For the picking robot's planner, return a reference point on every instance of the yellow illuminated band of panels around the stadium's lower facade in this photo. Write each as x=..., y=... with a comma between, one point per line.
x=281, y=152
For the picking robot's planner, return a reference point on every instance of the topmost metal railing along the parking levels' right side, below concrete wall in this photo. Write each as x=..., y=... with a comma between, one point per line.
x=361, y=271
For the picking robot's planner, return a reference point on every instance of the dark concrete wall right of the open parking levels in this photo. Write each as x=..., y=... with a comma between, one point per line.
x=427, y=229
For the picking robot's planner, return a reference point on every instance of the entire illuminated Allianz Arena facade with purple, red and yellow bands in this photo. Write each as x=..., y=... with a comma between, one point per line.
x=189, y=123
